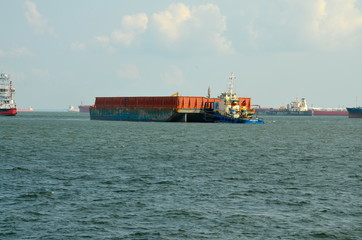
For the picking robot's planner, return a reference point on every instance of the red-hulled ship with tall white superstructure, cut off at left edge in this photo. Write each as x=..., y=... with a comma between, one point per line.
x=7, y=102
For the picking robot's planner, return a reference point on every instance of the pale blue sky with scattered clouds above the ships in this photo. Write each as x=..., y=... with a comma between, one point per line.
x=62, y=53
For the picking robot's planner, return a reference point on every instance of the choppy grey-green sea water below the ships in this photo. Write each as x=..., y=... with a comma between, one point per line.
x=64, y=176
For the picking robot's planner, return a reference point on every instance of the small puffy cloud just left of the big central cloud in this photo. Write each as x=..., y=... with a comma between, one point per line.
x=132, y=26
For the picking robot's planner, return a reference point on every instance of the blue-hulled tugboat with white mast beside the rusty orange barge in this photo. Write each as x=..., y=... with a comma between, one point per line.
x=229, y=109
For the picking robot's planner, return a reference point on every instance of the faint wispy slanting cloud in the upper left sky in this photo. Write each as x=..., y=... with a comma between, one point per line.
x=36, y=20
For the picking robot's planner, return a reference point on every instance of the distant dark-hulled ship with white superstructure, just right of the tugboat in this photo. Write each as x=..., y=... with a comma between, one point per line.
x=295, y=108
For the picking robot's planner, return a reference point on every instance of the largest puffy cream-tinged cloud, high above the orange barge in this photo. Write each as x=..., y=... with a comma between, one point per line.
x=198, y=27
